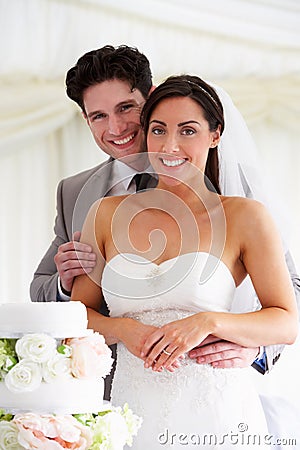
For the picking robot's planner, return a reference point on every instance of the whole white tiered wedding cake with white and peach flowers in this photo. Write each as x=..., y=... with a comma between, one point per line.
x=51, y=378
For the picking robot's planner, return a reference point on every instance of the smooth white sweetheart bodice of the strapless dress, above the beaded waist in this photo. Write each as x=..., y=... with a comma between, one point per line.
x=191, y=282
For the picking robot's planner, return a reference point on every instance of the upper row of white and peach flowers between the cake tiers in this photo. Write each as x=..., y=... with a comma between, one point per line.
x=26, y=362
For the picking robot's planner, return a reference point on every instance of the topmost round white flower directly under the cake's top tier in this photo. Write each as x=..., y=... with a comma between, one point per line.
x=37, y=347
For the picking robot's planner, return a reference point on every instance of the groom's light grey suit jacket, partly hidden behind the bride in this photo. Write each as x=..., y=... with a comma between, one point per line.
x=75, y=195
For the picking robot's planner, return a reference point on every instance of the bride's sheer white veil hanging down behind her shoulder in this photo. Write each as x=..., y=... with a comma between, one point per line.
x=241, y=175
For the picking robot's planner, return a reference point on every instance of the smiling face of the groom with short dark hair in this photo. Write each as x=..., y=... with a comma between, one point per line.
x=112, y=112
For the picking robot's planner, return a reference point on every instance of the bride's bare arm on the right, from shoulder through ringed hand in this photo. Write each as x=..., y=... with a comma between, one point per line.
x=276, y=323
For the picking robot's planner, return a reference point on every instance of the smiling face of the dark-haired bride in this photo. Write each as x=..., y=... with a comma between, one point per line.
x=179, y=139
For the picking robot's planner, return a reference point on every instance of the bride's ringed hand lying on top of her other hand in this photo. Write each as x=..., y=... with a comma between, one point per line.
x=168, y=343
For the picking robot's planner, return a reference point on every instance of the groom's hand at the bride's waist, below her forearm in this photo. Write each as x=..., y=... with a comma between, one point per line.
x=223, y=354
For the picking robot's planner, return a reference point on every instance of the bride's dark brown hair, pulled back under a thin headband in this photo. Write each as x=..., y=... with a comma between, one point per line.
x=202, y=93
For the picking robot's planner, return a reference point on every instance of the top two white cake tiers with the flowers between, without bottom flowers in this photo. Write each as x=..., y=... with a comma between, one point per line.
x=45, y=380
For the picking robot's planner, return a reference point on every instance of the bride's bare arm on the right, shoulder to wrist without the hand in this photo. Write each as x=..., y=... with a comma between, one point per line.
x=262, y=255
